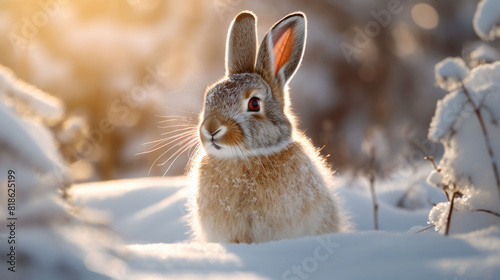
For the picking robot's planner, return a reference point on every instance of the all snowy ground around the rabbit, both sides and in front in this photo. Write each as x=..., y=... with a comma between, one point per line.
x=148, y=214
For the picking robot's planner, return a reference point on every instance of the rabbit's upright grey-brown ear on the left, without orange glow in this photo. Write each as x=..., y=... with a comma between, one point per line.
x=241, y=46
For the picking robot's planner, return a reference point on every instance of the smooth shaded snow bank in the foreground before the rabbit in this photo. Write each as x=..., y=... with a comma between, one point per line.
x=368, y=255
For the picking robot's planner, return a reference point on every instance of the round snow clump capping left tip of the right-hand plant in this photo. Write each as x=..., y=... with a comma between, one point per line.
x=450, y=73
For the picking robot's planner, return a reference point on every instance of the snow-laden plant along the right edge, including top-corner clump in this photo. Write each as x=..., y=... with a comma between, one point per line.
x=467, y=123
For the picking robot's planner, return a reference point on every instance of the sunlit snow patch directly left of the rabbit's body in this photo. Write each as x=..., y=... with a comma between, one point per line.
x=142, y=200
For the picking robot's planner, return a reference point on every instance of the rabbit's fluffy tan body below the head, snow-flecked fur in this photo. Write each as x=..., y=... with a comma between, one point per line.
x=264, y=198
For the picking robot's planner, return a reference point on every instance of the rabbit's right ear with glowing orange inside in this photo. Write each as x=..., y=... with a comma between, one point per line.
x=281, y=50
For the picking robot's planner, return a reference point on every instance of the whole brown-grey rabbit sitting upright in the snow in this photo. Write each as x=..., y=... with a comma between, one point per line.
x=259, y=179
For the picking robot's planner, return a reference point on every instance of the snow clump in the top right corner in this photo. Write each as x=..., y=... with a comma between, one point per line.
x=487, y=20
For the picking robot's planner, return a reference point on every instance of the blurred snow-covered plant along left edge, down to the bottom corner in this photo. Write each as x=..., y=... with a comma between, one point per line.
x=55, y=243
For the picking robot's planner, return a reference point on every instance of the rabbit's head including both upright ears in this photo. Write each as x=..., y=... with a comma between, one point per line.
x=246, y=112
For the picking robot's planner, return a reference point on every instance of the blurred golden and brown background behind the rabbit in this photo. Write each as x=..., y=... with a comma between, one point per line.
x=119, y=66
